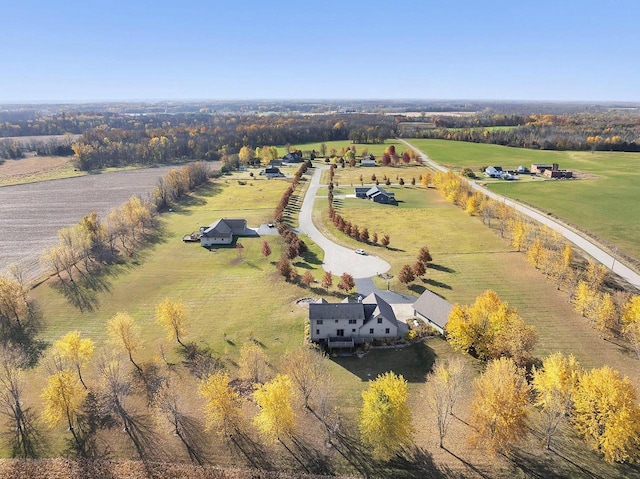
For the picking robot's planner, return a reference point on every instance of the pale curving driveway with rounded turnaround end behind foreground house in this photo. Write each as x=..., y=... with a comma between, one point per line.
x=337, y=259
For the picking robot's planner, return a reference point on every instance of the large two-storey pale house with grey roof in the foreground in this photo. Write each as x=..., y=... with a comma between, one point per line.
x=347, y=324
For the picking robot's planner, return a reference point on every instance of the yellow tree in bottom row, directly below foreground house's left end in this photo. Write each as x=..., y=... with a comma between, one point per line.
x=276, y=419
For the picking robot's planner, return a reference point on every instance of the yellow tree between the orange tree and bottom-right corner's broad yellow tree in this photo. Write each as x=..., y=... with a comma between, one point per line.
x=554, y=384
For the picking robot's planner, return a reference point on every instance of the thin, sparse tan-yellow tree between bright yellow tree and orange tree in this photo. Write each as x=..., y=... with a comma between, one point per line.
x=443, y=388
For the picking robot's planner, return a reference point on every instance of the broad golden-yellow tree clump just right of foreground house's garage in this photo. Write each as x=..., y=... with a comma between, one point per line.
x=490, y=329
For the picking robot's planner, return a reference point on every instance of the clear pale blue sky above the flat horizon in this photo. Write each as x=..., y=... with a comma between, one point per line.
x=73, y=50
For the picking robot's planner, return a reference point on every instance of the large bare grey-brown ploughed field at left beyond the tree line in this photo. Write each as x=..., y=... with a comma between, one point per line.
x=31, y=214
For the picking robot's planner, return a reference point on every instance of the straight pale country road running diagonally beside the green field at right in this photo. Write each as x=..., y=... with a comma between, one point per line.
x=580, y=241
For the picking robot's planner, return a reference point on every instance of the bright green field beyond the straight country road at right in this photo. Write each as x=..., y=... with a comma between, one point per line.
x=606, y=205
